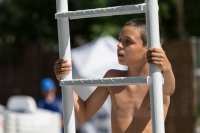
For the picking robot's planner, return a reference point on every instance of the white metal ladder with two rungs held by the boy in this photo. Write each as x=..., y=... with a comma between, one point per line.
x=150, y=8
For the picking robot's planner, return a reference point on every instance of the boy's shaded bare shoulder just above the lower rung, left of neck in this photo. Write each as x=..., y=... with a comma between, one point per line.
x=115, y=73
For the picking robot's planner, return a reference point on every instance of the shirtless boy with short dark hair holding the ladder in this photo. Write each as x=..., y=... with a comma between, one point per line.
x=130, y=112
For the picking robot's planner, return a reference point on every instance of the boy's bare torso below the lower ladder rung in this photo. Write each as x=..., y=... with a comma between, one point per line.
x=131, y=111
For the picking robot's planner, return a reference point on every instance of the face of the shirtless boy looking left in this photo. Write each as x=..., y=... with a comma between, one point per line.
x=131, y=51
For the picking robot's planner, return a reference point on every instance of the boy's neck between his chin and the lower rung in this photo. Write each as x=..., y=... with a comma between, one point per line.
x=138, y=71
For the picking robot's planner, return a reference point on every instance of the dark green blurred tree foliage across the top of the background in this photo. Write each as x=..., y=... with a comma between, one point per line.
x=32, y=21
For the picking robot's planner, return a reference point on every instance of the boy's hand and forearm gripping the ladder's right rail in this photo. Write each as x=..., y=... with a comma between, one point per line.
x=158, y=57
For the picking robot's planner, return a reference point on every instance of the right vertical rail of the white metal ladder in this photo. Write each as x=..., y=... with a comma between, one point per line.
x=156, y=92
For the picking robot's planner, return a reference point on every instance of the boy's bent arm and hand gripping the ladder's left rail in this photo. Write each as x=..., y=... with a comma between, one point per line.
x=84, y=110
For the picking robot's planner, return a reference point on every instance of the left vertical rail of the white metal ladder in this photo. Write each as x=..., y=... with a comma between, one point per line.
x=65, y=52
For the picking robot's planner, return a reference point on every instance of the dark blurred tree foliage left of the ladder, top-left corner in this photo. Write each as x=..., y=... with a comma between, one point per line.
x=23, y=22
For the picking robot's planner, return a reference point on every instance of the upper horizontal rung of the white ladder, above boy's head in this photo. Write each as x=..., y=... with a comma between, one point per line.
x=99, y=12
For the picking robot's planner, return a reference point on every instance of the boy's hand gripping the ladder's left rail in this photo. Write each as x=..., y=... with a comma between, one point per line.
x=61, y=67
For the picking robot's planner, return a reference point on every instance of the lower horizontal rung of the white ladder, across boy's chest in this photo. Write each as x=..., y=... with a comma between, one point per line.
x=119, y=81
